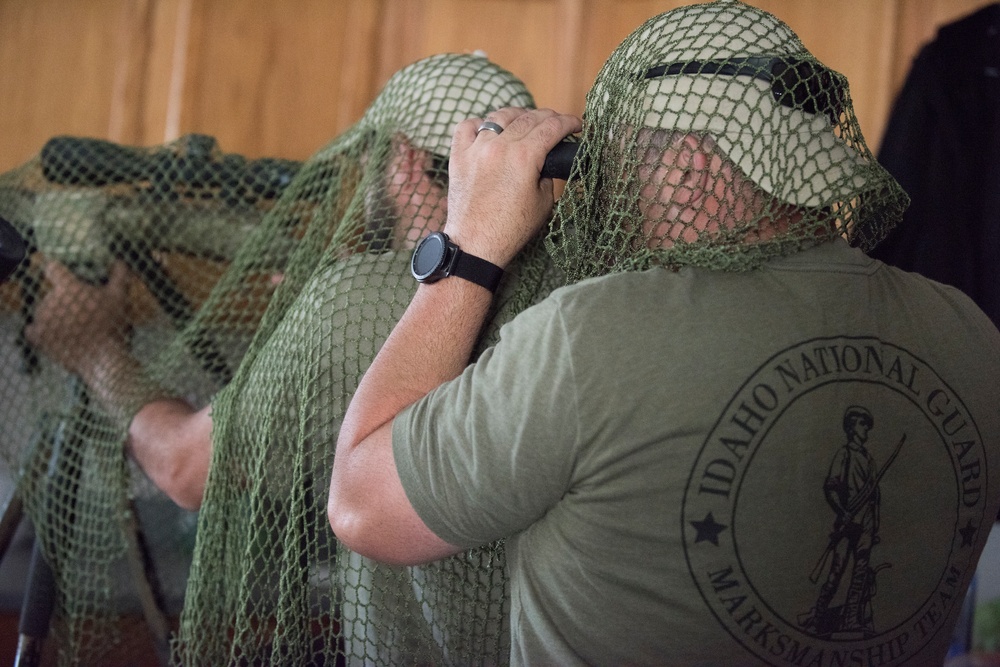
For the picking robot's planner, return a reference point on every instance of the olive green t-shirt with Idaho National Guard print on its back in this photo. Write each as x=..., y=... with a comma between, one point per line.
x=790, y=466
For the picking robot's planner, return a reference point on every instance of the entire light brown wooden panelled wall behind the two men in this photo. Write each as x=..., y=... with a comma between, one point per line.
x=281, y=79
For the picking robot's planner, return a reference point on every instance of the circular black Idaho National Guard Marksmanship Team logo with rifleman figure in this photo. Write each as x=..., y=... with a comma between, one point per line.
x=799, y=511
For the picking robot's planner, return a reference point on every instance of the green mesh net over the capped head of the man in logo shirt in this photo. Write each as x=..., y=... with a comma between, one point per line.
x=713, y=138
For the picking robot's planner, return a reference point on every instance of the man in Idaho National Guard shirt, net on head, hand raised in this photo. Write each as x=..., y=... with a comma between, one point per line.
x=654, y=441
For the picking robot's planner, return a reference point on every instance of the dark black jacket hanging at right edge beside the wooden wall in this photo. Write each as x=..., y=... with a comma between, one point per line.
x=942, y=143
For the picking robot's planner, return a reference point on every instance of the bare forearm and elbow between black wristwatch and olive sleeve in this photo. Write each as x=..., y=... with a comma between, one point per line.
x=430, y=345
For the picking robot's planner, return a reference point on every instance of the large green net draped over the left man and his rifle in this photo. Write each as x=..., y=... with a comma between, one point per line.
x=264, y=287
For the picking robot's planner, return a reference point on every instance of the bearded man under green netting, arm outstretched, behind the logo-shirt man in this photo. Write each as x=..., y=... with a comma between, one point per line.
x=268, y=583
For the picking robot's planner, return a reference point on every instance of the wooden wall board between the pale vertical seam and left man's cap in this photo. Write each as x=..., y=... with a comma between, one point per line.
x=267, y=78
